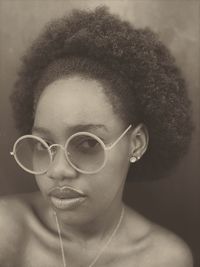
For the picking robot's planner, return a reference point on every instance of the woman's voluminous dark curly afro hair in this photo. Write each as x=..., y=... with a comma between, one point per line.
x=141, y=73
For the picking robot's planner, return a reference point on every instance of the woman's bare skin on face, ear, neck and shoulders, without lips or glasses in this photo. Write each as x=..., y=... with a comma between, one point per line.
x=30, y=236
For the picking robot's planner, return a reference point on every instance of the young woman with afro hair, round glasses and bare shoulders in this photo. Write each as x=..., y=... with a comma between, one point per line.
x=97, y=103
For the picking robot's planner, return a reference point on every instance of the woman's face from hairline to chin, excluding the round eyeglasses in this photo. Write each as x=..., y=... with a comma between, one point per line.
x=71, y=105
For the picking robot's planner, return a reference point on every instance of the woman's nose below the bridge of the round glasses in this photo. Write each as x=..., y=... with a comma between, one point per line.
x=60, y=169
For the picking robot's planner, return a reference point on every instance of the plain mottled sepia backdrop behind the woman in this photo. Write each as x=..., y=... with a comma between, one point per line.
x=173, y=202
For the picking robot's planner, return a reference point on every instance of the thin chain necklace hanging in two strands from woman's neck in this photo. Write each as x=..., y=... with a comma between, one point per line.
x=101, y=250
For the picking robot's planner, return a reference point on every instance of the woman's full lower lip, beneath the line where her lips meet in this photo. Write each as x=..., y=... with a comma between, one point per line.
x=64, y=203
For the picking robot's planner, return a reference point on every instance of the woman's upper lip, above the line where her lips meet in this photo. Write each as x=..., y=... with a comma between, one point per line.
x=66, y=192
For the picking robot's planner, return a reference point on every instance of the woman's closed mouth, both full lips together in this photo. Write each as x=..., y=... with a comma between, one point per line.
x=66, y=197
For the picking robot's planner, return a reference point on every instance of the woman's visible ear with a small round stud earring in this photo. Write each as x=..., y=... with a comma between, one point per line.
x=139, y=142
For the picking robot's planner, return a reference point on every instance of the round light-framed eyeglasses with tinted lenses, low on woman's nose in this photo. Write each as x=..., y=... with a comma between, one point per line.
x=84, y=151
